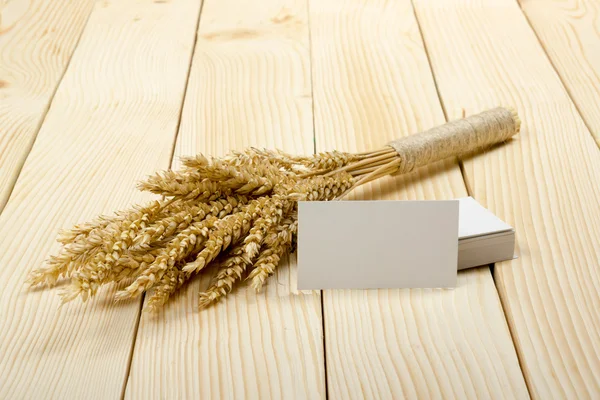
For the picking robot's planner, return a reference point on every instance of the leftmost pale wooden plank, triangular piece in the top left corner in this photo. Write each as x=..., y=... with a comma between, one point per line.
x=37, y=39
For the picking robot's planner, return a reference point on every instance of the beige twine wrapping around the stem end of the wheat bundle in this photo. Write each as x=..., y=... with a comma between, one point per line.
x=456, y=137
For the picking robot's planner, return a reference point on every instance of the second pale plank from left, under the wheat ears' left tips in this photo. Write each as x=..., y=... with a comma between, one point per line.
x=112, y=121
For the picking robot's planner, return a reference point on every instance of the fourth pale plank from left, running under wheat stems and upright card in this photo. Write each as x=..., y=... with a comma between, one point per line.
x=372, y=84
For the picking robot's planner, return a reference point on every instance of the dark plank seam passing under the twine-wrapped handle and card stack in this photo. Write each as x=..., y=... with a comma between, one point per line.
x=469, y=192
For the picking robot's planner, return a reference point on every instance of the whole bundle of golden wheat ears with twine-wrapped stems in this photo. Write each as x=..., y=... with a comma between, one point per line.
x=238, y=212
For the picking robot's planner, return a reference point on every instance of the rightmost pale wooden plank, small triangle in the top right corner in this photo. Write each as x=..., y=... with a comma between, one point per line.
x=570, y=34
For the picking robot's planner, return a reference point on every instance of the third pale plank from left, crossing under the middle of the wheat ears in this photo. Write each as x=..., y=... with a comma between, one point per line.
x=249, y=85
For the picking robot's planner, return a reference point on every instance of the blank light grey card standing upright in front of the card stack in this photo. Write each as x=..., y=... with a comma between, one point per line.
x=377, y=244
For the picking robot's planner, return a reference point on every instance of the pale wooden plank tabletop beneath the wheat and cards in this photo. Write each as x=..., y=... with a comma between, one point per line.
x=94, y=95
